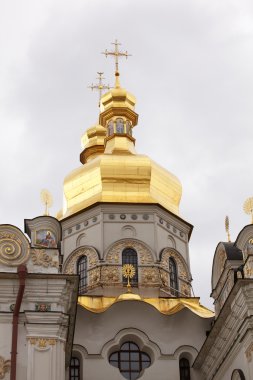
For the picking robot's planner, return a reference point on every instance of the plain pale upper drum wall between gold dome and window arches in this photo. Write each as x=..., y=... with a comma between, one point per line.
x=102, y=225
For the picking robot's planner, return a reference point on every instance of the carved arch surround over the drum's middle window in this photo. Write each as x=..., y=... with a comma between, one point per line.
x=114, y=252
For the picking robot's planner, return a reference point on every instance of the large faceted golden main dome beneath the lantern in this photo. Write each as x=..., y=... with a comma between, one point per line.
x=121, y=178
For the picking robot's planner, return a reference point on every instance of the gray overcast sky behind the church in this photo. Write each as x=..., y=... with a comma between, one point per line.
x=191, y=72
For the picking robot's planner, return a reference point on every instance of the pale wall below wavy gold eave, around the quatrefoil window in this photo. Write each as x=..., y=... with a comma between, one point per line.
x=98, y=334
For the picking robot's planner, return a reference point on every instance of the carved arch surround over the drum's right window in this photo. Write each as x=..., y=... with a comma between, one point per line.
x=183, y=270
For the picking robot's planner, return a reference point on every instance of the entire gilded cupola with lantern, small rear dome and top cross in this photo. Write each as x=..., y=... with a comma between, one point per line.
x=112, y=171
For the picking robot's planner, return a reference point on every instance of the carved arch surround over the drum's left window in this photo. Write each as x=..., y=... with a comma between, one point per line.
x=92, y=258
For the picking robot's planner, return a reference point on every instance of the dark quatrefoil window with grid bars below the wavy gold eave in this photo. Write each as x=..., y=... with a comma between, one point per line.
x=130, y=360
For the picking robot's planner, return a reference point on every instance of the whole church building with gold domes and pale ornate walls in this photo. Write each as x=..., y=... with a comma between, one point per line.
x=104, y=289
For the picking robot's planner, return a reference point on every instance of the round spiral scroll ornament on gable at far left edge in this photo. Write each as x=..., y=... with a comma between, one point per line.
x=14, y=246
